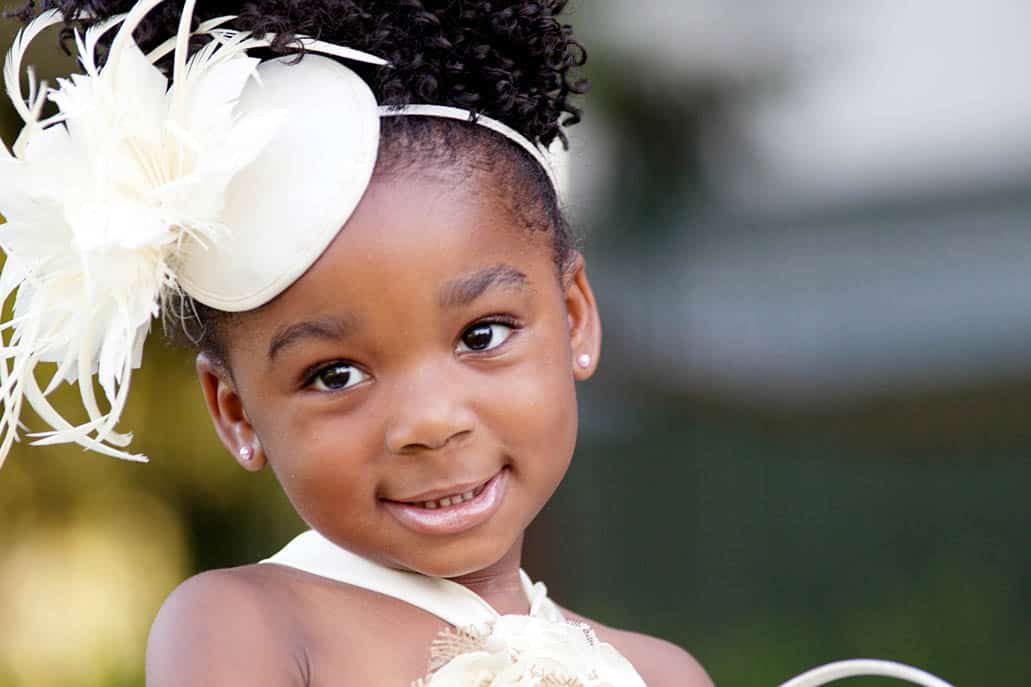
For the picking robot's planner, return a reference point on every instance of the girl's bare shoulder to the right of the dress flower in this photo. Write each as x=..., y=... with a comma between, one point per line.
x=661, y=664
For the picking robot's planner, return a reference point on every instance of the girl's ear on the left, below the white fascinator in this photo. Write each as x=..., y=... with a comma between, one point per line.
x=230, y=420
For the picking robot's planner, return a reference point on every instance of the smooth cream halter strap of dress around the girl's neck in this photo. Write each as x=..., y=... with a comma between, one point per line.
x=449, y=601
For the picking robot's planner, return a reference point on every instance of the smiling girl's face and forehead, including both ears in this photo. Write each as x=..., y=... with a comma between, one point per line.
x=431, y=352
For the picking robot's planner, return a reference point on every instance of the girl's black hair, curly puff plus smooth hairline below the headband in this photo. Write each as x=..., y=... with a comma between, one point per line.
x=511, y=60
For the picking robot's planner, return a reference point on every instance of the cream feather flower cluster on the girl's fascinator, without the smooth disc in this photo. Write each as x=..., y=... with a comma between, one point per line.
x=99, y=201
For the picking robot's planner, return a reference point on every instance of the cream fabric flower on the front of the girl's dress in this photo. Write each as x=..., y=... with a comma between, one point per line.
x=527, y=651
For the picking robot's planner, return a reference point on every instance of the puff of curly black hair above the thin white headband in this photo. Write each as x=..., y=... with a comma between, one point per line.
x=511, y=61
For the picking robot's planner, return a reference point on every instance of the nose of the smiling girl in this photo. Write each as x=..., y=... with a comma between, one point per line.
x=430, y=412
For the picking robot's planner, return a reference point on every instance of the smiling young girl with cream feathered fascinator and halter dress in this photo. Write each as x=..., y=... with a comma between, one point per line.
x=390, y=312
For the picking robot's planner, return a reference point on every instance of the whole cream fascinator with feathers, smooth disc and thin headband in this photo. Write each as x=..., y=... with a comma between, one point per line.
x=142, y=187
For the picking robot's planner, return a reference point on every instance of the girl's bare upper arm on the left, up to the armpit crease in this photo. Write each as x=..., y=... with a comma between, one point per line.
x=217, y=630
